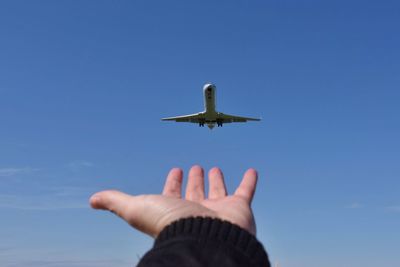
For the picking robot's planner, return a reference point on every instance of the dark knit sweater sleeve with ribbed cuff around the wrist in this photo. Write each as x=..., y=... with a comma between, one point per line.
x=201, y=241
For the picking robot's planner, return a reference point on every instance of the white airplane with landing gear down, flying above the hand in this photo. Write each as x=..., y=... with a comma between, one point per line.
x=210, y=115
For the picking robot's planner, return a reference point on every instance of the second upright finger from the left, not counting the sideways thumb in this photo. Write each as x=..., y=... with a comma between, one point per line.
x=195, y=185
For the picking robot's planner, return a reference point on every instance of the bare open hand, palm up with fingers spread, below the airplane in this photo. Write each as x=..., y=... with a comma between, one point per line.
x=151, y=213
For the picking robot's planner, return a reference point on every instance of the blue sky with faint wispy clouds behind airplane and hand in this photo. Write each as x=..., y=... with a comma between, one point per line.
x=83, y=85
